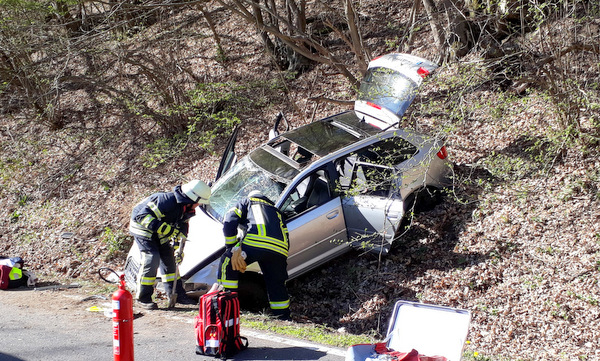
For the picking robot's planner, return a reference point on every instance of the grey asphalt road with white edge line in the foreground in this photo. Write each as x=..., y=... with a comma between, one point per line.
x=59, y=325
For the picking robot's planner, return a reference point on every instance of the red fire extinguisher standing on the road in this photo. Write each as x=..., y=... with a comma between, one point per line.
x=122, y=305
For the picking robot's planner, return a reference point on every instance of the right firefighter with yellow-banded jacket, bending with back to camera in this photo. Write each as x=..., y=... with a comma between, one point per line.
x=265, y=242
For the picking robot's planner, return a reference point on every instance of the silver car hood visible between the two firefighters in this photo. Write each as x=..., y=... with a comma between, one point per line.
x=205, y=245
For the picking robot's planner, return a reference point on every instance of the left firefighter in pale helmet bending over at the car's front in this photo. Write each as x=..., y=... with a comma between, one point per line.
x=157, y=221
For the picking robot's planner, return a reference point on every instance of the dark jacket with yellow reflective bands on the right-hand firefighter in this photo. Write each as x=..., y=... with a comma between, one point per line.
x=265, y=226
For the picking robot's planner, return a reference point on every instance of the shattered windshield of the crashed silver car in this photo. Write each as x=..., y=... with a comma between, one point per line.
x=240, y=180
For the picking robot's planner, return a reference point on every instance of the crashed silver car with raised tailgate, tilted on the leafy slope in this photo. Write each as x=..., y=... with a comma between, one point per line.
x=341, y=182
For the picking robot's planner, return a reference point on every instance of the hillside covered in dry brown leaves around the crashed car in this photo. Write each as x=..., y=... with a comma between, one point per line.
x=516, y=241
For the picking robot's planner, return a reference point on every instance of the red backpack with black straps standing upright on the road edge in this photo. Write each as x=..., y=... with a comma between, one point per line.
x=217, y=325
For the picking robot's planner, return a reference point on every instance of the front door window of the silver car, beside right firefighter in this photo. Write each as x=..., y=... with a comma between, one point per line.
x=311, y=192
